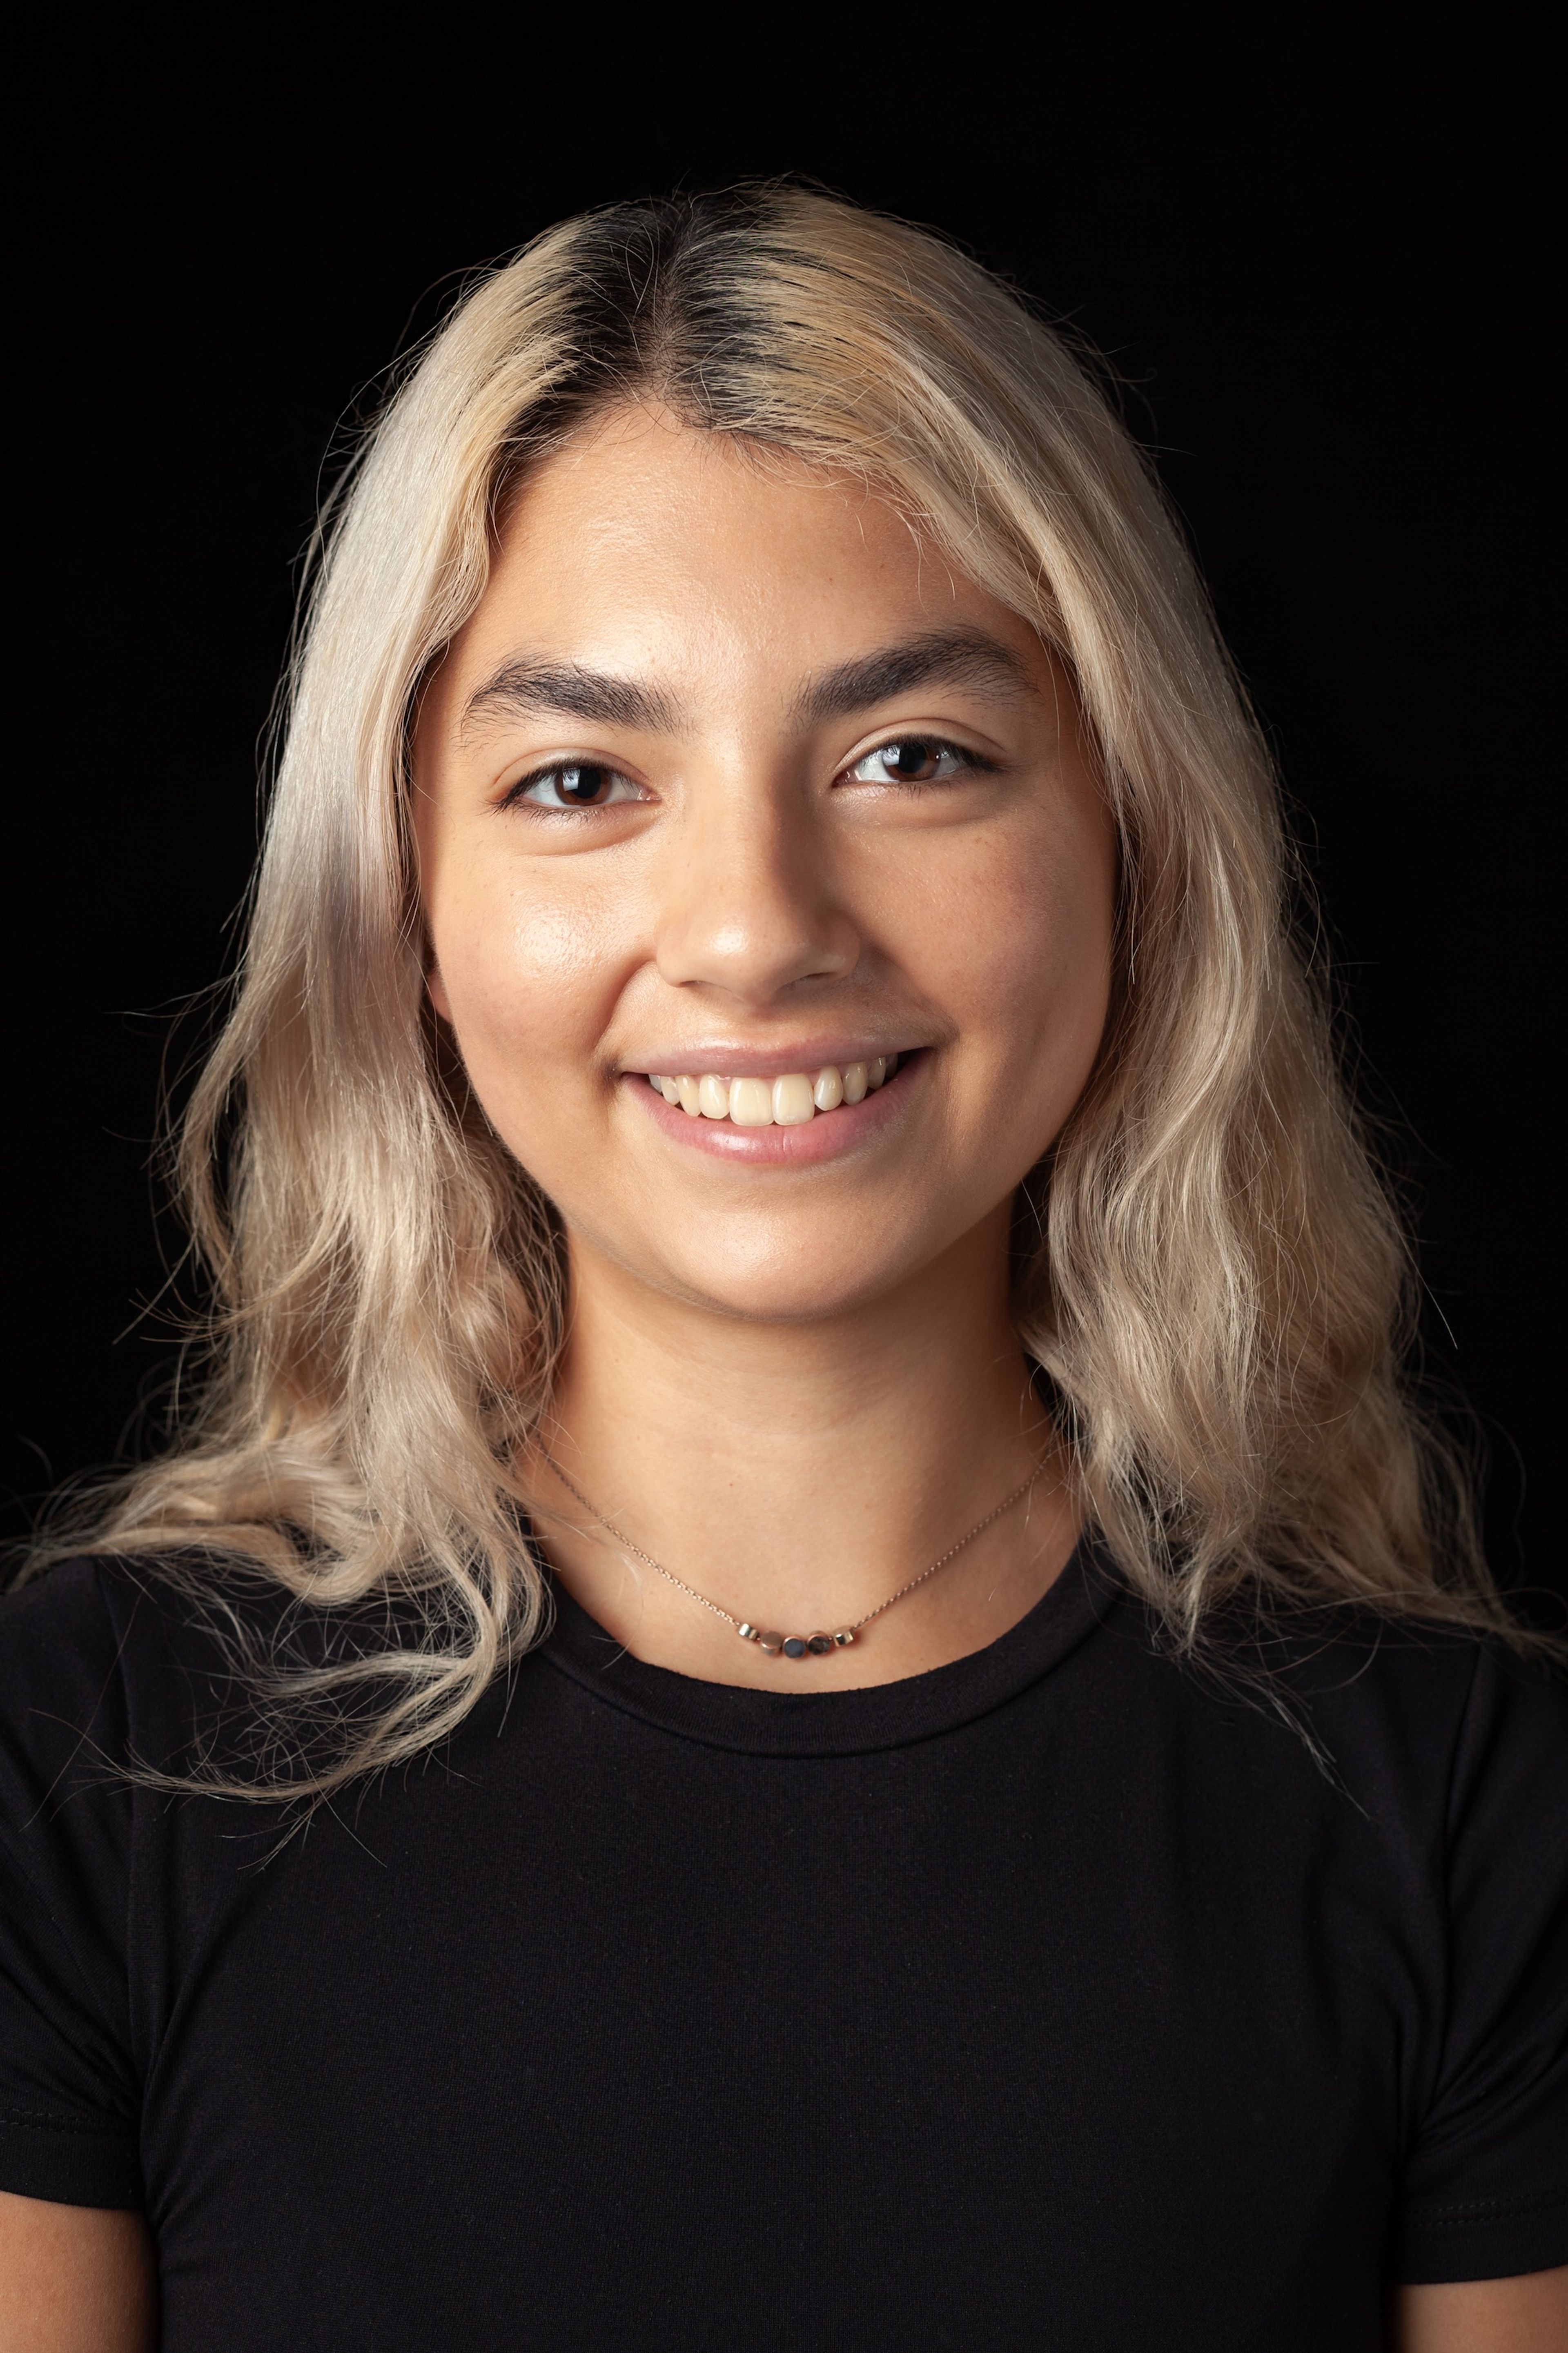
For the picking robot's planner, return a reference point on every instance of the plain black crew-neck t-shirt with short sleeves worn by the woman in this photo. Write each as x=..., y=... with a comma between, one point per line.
x=1056, y=1999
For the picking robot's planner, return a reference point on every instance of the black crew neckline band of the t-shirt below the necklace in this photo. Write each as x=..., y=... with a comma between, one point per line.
x=839, y=1724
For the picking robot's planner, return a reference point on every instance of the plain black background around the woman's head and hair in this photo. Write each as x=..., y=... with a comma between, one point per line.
x=1317, y=267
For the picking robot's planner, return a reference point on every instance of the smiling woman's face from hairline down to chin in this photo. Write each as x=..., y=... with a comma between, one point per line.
x=736, y=782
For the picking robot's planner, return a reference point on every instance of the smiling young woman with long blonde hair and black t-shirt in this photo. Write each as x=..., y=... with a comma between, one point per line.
x=806, y=1681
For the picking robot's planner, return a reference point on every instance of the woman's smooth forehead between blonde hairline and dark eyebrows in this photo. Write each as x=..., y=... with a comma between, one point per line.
x=646, y=545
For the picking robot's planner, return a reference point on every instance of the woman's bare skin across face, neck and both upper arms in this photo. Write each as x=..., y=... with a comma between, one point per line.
x=795, y=1382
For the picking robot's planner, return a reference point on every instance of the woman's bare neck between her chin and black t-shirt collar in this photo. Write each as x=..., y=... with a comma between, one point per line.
x=802, y=1472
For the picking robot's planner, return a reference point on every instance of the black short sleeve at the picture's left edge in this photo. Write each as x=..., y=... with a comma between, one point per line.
x=67, y=2084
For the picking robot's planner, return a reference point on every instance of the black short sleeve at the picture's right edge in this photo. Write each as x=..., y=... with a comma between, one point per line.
x=1487, y=2180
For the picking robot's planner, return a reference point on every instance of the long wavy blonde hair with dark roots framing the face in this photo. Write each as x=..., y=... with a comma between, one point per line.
x=1209, y=1269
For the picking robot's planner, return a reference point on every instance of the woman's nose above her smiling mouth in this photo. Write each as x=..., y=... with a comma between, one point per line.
x=748, y=900
